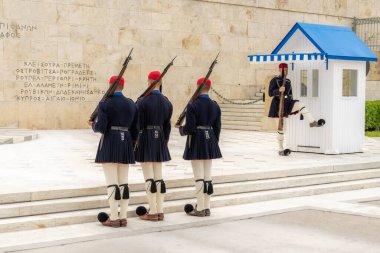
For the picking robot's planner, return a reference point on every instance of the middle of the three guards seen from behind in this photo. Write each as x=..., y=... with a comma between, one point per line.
x=155, y=112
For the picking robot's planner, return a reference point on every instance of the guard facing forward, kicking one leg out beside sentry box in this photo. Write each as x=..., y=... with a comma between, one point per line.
x=283, y=105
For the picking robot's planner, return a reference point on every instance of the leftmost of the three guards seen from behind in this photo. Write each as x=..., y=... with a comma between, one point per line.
x=116, y=121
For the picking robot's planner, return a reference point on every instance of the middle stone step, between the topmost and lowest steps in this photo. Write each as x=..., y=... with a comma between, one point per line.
x=100, y=201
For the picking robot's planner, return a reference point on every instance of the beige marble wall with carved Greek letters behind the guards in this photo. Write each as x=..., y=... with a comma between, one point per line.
x=56, y=55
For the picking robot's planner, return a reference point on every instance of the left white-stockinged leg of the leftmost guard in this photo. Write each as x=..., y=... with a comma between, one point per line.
x=113, y=191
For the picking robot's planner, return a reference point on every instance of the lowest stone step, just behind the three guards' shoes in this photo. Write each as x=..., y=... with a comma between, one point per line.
x=77, y=217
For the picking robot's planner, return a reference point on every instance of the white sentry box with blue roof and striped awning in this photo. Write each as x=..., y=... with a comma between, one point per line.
x=327, y=67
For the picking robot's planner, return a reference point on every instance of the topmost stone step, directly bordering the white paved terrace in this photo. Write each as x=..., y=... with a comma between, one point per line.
x=275, y=173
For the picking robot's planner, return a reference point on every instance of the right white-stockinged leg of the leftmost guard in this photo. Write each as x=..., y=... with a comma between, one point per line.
x=124, y=190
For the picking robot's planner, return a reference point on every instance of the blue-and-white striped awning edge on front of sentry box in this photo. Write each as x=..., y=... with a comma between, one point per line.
x=294, y=57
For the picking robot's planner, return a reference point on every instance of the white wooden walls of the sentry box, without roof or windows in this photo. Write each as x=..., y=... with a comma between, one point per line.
x=345, y=116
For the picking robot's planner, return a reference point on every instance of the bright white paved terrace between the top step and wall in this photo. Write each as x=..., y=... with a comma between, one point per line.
x=64, y=159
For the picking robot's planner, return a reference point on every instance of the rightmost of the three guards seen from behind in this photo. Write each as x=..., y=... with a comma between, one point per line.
x=203, y=125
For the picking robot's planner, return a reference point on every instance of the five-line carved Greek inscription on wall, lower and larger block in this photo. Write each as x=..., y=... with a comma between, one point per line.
x=54, y=81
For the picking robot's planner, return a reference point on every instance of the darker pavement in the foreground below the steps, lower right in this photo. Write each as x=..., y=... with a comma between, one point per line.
x=298, y=231
